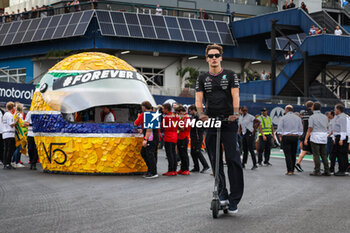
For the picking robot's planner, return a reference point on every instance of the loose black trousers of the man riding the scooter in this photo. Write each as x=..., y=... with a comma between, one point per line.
x=233, y=161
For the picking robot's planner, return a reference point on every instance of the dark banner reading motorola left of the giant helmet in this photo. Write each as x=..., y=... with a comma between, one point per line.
x=16, y=92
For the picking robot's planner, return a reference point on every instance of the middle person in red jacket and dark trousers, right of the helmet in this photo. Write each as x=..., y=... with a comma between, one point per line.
x=170, y=138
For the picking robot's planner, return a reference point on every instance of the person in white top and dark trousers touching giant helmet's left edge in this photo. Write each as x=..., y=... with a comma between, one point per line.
x=32, y=149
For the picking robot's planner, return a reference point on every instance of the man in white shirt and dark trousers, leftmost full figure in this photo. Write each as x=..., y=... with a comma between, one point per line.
x=8, y=135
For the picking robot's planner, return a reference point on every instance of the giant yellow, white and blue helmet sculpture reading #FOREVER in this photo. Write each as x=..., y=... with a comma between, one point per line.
x=77, y=83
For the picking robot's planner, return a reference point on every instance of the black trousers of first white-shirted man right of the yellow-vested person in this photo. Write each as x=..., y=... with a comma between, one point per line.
x=290, y=145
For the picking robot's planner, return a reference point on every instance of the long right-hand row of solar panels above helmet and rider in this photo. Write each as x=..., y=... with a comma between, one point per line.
x=124, y=24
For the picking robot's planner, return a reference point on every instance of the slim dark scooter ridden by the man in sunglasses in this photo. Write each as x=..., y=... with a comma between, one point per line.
x=215, y=203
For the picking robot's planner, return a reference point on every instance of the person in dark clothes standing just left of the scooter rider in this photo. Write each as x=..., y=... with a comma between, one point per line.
x=196, y=143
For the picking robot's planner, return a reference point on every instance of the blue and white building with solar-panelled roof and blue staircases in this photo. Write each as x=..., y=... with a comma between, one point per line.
x=161, y=46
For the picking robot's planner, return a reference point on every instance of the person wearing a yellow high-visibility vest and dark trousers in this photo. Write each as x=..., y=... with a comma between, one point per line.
x=266, y=134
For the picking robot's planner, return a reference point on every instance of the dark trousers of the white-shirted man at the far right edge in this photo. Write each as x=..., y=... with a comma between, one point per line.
x=340, y=153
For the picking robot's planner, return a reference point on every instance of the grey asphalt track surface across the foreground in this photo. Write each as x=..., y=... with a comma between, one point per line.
x=33, y=201
